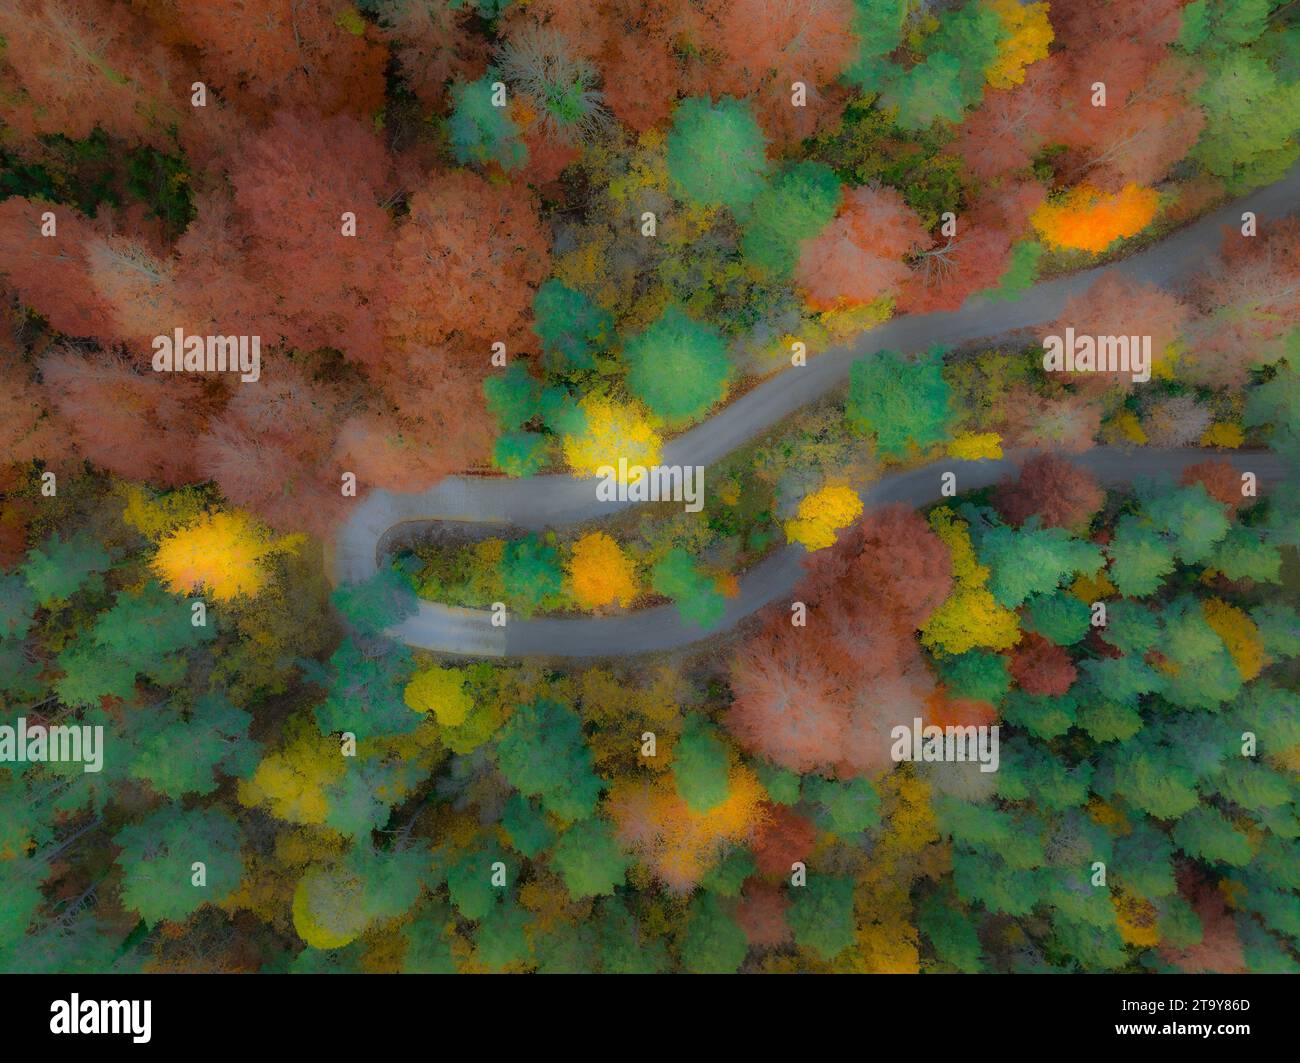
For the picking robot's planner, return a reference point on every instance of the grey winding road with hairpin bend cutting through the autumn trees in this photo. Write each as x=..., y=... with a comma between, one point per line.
x=475, y=507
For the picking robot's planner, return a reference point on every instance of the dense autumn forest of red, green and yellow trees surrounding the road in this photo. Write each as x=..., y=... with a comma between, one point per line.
x=645, y=206
